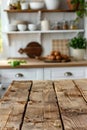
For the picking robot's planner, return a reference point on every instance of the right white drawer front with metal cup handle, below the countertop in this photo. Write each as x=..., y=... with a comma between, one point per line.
x=64, y=73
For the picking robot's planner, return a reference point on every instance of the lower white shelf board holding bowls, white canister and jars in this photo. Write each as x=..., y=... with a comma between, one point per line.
x=49, y=31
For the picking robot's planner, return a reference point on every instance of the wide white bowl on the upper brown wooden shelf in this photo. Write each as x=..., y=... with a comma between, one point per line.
x=37, y=4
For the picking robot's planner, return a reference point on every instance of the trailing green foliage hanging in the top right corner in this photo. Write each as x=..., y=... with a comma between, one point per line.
x=80, y=6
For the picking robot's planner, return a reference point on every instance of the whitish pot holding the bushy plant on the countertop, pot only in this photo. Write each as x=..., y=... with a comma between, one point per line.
x=77, y=54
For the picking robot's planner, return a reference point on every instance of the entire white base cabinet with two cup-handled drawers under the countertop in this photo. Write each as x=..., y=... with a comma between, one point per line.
x=51, y=73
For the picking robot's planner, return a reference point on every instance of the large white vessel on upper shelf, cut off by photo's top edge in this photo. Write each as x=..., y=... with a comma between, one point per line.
x=52, y=4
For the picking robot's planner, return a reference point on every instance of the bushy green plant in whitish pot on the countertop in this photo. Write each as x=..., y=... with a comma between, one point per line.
x=77, y=47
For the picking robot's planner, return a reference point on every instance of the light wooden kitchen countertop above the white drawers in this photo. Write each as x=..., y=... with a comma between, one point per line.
x=35, y=63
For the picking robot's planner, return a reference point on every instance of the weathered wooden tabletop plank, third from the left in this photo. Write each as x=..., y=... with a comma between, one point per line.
x=72, y=106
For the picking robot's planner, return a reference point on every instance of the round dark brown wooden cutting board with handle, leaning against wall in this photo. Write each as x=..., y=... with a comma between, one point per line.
x=32, y=49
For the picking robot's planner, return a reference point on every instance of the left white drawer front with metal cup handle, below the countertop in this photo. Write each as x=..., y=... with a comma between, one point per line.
x=8, y=75
